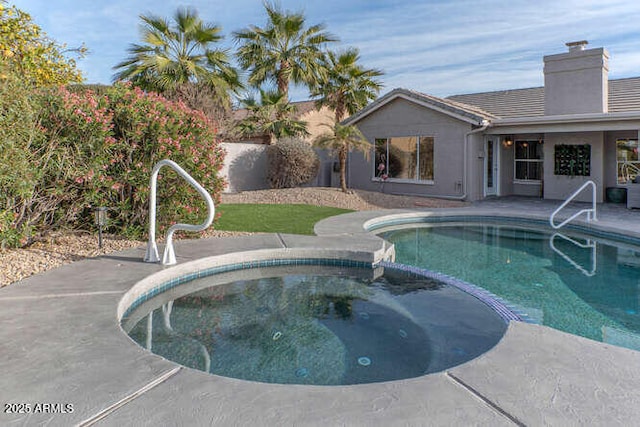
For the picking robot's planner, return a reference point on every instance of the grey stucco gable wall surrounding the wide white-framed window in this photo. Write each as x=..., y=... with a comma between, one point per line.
x=403, y=118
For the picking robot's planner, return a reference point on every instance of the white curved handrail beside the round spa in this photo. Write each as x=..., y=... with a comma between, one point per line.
x=169, y=256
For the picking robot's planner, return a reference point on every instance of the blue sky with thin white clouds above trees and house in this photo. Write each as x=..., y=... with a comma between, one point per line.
x=442, y=47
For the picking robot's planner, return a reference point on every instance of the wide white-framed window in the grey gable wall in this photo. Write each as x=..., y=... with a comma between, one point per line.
x=408, y=158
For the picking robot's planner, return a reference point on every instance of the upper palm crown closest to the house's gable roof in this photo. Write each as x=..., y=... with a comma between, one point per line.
x=346, y=87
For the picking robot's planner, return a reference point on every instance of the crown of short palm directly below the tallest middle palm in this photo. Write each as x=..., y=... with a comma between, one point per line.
x=272, y=116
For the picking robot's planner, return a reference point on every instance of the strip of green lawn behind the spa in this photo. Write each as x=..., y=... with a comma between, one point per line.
x=291, y=219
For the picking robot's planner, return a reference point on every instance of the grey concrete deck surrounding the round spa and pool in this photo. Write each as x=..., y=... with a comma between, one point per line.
x=62, y=344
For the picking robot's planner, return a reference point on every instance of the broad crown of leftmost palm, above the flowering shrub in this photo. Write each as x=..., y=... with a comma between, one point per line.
x=173, y=56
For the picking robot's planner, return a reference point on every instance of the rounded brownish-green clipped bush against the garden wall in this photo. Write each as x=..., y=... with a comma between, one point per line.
x=291, y=162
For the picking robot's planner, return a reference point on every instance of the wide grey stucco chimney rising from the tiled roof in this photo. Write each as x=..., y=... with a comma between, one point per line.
x=577, y=81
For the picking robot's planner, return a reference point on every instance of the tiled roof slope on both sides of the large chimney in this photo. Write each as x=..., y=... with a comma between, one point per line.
x=624, y=96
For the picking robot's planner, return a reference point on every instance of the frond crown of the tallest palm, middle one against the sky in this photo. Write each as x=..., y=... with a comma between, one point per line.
x=283, y=51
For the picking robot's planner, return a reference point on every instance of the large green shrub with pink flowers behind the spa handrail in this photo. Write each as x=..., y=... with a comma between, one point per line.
x=98, y=149
